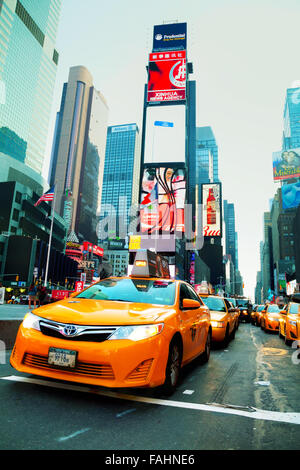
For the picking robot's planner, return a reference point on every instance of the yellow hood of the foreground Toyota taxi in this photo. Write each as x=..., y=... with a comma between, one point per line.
x=102, y=312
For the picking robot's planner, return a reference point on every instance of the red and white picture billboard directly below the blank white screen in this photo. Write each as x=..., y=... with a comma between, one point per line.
x=162, y=200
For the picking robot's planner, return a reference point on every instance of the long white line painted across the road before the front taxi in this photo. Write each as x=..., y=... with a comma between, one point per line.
x=265, y=415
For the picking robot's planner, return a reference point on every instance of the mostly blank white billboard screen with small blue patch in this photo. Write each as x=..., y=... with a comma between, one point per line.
x=165, y=134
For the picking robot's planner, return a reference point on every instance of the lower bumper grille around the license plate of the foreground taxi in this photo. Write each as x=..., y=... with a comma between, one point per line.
x=101, y=371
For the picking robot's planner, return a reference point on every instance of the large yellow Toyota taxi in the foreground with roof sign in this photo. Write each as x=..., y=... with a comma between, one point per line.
x=134, y=331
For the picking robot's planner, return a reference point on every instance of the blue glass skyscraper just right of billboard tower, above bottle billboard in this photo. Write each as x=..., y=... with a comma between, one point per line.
x=207, y=153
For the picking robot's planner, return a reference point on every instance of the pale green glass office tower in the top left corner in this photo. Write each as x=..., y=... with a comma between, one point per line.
x=28, y=63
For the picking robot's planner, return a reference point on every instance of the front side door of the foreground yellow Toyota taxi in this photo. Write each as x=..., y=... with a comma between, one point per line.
x=192, y=326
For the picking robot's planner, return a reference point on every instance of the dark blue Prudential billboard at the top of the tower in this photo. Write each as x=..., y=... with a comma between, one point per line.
x=169, y=36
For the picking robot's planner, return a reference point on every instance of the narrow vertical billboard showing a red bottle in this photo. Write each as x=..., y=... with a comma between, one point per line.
x=211, y=209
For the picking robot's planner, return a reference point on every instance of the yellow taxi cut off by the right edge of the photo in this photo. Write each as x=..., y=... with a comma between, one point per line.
x=289, y=323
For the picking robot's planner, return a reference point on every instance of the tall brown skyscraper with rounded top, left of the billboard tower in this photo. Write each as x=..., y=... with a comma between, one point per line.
x=78, y=153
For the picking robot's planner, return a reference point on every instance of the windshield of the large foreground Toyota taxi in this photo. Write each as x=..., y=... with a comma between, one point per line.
x=160, y=292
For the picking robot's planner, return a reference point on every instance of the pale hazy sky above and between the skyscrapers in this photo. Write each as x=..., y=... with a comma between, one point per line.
x=245, y=55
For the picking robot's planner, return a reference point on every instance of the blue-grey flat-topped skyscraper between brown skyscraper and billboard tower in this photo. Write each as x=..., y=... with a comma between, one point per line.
x=121, y=173
